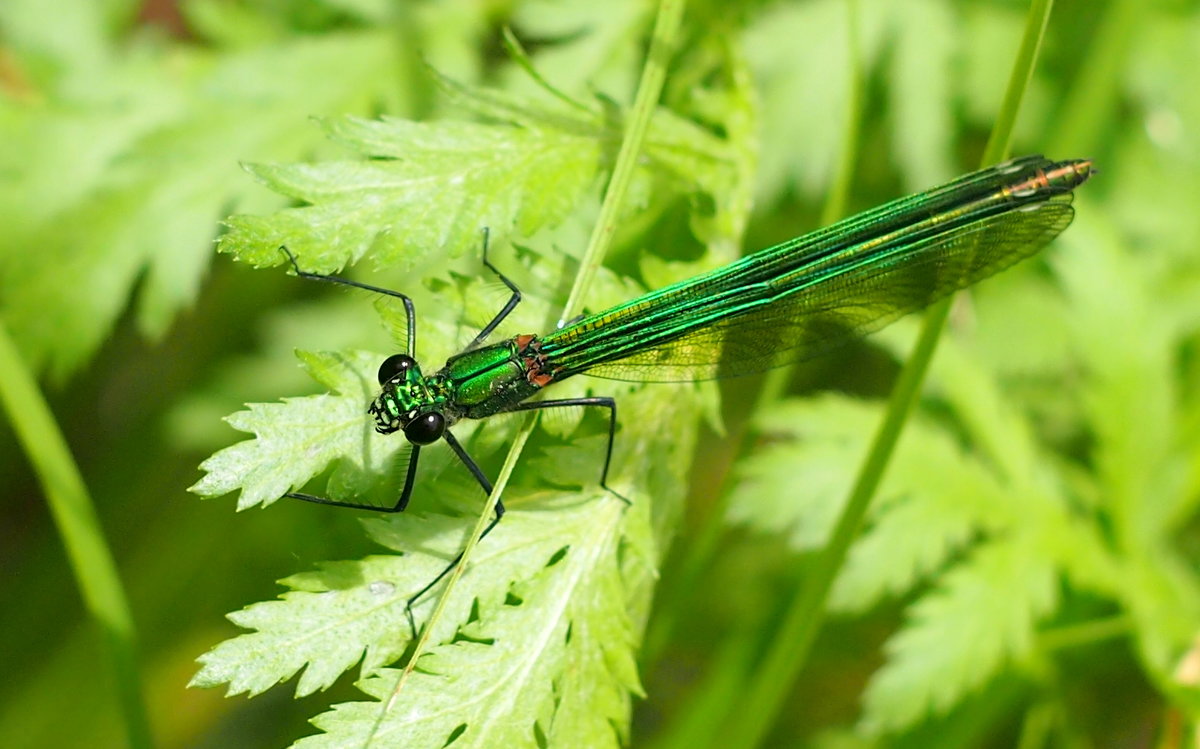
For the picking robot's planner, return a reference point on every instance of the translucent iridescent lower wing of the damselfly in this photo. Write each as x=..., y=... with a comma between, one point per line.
x=811, y=309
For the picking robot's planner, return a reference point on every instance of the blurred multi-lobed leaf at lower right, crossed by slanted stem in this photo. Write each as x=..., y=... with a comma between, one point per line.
x=935, y=501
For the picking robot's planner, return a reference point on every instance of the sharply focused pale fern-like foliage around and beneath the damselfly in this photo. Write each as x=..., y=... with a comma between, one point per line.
x=537, y=642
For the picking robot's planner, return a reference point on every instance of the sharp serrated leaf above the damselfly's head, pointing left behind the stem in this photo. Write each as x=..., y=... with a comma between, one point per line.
x=433, y=185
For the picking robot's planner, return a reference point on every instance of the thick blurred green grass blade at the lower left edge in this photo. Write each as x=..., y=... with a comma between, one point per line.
x=75, y=517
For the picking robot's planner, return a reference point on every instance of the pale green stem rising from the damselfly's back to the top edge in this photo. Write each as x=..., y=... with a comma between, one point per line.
x=650, y=89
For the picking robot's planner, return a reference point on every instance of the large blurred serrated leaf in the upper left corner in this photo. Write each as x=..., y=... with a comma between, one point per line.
x=154, y=182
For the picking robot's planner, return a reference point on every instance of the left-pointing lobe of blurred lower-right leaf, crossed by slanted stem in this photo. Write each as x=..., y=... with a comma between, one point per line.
x=923, y=517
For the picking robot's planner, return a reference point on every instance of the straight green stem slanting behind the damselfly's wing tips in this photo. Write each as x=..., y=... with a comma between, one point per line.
x=790, y=649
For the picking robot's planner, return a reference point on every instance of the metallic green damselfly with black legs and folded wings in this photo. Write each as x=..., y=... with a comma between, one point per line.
x=781, y=305
